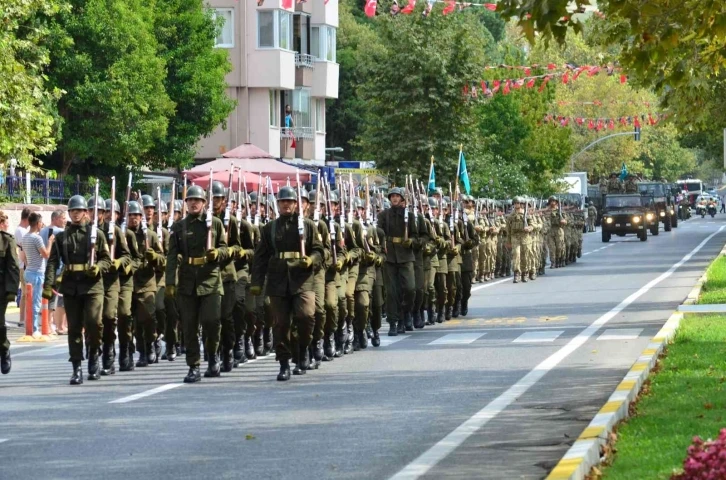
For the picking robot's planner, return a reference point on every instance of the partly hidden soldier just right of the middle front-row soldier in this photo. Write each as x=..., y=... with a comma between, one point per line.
x=229, y=275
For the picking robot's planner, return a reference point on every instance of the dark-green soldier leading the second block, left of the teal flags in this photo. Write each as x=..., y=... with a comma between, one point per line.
x=399, y=274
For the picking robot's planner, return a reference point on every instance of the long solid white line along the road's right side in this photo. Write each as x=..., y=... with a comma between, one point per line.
x=427, y=460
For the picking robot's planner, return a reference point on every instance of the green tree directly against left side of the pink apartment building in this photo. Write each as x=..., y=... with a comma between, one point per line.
x=194, y=81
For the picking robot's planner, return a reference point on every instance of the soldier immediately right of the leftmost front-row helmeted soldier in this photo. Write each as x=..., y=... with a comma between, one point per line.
x=120, y=259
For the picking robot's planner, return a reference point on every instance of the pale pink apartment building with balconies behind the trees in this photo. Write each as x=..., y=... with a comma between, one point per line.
x=281, y=57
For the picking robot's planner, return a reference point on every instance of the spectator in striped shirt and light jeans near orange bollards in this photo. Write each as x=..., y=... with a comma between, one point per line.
x=34, y=256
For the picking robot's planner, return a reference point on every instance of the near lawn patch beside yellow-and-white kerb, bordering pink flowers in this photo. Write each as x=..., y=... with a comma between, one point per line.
x=685, y=398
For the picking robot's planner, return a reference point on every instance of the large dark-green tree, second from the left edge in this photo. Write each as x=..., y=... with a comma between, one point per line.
x=116, y=107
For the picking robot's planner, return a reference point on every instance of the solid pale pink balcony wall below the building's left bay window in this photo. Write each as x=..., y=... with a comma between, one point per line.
x=271, y=68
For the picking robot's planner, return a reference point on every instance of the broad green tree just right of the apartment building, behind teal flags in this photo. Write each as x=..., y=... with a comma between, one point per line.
x=412, y=87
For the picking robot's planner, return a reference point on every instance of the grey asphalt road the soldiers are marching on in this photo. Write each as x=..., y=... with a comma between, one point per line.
x=502, y=393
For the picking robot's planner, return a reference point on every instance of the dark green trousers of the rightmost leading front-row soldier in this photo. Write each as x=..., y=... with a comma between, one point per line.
x=298, y=308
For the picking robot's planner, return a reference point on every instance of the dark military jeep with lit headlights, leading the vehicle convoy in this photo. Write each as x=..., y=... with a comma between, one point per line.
x=625, y=214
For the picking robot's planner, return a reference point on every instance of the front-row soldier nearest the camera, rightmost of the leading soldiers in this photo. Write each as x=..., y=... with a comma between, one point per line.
x=288, y=258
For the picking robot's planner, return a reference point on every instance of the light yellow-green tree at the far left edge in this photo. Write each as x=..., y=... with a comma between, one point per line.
x=26, y=100
